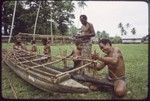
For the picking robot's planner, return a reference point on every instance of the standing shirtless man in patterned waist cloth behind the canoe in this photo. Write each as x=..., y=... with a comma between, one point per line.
x=87, y=31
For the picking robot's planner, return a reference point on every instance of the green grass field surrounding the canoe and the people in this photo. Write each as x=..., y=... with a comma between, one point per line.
x=136, y=62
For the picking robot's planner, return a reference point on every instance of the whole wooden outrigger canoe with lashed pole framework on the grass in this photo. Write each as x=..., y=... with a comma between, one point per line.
x=35, y=70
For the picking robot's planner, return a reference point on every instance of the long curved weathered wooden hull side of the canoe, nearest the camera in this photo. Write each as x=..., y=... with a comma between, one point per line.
x=43, y=84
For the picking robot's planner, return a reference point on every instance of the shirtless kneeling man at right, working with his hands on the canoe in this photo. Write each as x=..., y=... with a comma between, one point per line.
x=116, y=67
